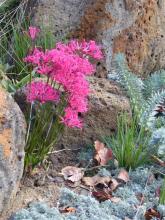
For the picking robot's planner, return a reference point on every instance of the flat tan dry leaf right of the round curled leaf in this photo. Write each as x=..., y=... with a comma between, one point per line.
x=95, y=180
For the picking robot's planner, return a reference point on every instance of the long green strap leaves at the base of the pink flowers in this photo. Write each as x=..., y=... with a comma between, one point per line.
x=44, y=127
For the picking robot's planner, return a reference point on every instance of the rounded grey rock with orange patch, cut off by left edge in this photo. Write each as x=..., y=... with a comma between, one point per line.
x=12, y=141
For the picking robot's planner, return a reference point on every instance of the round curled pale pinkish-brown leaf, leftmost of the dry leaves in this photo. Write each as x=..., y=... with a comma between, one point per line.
x=74, y=174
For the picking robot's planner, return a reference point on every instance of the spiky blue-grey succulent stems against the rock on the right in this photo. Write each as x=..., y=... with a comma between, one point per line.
x=145, y=95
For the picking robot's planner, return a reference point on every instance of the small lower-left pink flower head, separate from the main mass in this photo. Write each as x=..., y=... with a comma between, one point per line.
x=42, y=92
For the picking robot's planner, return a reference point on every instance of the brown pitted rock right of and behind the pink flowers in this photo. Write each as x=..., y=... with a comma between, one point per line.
x=106, y=102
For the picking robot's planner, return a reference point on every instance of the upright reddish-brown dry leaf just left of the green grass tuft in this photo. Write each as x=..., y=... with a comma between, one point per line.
x=103, y=154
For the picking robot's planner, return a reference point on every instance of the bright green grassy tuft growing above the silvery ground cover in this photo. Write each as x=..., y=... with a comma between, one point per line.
x=130, y=144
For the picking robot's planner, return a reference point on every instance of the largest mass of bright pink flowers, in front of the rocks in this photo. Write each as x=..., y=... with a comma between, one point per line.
x=68, y=65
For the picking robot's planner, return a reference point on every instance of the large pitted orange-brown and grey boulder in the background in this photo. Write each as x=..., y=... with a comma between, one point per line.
x=134, y=27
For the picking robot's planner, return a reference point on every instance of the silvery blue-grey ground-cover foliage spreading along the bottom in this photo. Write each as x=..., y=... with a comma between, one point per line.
x=143, y=182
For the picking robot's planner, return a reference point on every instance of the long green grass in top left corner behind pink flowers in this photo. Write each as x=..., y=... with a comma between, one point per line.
x=15, y=43
